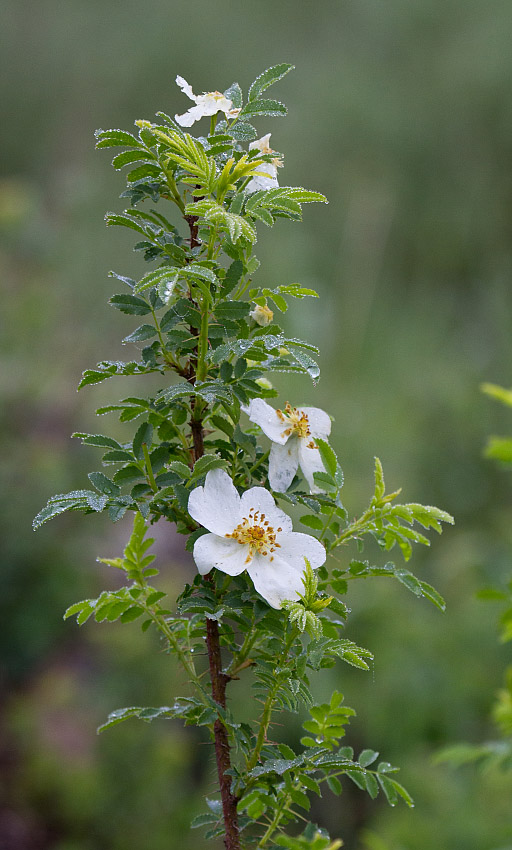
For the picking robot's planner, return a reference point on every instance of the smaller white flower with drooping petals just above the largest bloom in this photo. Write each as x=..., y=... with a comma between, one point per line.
x=293, y=432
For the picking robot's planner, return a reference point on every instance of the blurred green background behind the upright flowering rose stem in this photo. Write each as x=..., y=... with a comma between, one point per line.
x=401, y=112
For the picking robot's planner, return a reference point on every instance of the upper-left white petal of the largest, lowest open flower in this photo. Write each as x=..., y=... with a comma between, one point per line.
x=216, y=506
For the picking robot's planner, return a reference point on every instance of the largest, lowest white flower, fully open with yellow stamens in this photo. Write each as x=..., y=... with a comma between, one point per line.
x=250, y=532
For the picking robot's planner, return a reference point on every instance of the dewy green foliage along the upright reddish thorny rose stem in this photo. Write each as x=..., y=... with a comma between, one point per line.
x=212, y=351
